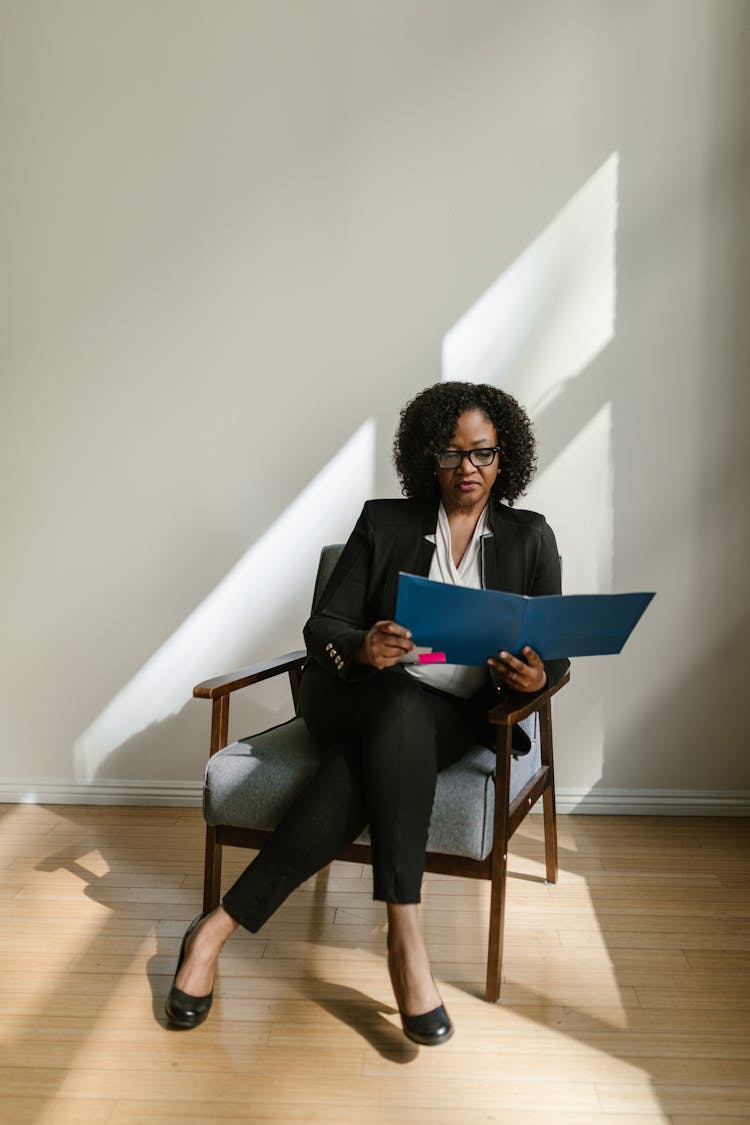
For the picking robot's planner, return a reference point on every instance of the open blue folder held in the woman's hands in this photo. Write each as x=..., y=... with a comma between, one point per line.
x=469, y=626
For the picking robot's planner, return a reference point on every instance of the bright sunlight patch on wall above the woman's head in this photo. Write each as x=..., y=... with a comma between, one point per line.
x=554, y=310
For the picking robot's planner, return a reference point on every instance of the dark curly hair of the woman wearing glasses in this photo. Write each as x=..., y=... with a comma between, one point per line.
x=428, y=425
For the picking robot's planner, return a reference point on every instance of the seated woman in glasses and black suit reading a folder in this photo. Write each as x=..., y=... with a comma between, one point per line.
x=385, y=726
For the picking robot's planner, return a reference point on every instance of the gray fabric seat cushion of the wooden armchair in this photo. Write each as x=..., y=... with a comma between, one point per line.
x=252, y=782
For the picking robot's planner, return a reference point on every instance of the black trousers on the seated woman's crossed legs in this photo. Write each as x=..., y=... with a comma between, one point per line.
x=384, y=741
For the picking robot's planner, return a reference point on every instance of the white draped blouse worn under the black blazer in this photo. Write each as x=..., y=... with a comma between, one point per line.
x=455, y=679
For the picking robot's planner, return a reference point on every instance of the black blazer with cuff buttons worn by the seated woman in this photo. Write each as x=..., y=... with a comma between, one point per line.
x=519, y=555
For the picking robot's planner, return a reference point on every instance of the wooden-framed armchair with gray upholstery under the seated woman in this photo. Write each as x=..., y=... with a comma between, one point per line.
x=480, y=804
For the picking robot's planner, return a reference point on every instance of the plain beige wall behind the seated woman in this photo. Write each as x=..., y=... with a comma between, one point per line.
x=236, y=236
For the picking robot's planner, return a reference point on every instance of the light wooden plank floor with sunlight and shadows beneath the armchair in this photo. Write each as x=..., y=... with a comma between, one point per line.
x=627, y=992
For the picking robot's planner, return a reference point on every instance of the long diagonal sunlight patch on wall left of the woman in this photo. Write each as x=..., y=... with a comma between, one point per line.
x=246, y=604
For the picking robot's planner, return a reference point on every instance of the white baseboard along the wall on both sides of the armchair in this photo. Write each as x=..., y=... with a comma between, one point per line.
x=654, y=803
